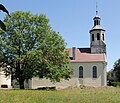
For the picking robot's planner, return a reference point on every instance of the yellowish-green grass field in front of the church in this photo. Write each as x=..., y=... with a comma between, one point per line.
x=86, y=95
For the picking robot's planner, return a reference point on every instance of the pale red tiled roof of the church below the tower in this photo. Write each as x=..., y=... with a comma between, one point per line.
x=86, y=57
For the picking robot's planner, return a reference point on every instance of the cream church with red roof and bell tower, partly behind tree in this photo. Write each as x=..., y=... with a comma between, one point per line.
x=89, y=64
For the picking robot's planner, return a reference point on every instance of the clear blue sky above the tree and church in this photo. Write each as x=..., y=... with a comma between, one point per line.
x=74, y=18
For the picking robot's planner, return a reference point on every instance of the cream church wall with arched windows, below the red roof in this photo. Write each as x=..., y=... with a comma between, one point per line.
x=87, y=79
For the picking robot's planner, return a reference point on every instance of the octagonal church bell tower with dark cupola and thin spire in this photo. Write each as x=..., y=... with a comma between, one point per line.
x=97, y=36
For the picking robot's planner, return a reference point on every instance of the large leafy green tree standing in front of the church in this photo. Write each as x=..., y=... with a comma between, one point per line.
x=31, y=48
